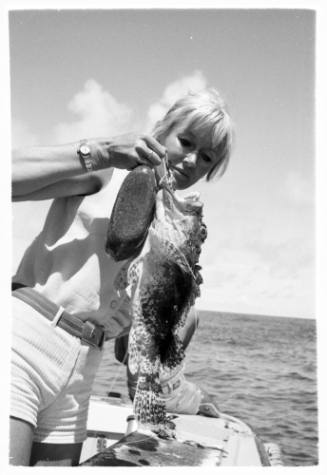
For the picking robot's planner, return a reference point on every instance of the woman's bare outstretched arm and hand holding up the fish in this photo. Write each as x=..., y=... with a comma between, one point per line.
x=46, y=172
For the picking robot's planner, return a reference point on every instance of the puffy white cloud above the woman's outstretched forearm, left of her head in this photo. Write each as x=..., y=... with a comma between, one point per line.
x=98, y=114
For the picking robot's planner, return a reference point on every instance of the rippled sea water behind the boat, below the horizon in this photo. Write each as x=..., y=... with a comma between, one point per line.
x=261, y=369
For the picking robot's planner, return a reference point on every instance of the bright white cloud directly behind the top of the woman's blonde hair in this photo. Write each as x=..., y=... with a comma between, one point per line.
x=194, y=82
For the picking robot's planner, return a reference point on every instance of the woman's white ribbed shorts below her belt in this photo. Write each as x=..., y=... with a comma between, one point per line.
x=52, y=373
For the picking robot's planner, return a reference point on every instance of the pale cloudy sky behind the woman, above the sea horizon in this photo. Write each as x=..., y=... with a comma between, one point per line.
x=77, y=74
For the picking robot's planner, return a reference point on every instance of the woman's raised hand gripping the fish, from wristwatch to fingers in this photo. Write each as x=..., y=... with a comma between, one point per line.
x=126, y=151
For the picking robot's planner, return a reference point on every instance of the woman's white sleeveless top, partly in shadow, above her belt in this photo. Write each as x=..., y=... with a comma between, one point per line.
x=68, y=264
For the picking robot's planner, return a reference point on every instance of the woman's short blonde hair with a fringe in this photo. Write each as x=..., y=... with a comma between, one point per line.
x=205, y=113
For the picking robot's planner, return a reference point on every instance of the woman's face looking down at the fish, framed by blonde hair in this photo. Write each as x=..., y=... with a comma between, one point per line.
x=189, y=156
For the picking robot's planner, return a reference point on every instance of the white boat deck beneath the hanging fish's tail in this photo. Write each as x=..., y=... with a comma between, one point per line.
x=223, y=441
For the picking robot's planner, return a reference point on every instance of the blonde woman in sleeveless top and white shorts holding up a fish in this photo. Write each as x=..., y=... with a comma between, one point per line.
x=75, y=301
